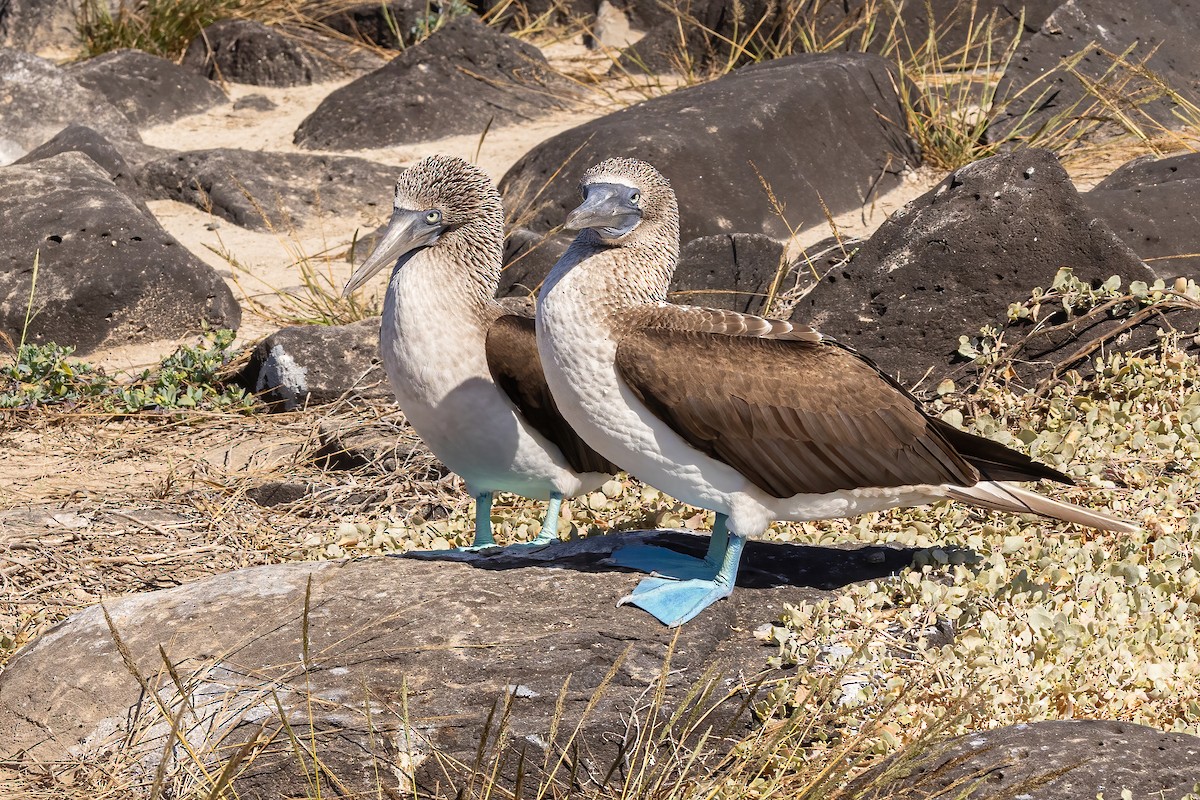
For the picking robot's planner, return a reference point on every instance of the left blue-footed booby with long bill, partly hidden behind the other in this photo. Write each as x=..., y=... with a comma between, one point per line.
x=465, y=371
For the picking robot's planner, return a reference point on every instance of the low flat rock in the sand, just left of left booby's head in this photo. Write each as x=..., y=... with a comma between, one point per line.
x=243, y=187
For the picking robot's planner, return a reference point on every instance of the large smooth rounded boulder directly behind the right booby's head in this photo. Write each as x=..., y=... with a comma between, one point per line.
x=824, y=131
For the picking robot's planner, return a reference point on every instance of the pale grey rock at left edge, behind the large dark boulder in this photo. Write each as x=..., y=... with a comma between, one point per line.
x=38, y=100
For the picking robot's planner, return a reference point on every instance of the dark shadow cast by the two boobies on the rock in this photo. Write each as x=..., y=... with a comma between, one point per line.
x=765, y=566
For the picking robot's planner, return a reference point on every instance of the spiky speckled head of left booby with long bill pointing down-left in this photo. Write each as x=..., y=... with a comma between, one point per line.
x=446, y=202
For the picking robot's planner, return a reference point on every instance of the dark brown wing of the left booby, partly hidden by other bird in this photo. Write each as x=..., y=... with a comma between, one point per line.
x=513, y=359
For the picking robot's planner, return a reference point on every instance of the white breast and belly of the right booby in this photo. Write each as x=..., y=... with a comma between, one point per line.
x=580, y=365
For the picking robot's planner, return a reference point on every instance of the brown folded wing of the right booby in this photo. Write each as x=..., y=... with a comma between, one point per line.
x=791, y=414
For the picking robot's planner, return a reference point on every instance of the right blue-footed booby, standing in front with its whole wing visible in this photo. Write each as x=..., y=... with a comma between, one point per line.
x=754, y=419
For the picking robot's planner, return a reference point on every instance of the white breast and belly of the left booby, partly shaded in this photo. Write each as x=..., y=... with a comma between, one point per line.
x=436, y=360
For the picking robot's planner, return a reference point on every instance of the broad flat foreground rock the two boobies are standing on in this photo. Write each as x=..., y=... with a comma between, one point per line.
x=391, y=663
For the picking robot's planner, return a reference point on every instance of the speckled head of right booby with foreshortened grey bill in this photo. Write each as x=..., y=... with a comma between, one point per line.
x=626, y=201
